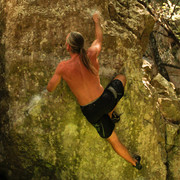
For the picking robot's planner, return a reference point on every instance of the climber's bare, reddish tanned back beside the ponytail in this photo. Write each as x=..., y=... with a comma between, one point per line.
x=83, y=83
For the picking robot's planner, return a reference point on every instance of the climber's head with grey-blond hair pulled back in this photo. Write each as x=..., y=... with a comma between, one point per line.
x=74, y=42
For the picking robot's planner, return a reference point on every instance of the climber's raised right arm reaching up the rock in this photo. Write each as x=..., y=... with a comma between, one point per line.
x=96, y=45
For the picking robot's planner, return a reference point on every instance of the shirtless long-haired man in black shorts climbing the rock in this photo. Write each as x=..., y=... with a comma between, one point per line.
x=97, y=104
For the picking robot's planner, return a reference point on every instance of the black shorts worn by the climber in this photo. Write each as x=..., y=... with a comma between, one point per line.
x=97, y=112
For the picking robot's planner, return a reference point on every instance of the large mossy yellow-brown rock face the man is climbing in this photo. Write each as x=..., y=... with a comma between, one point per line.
x=46, y=136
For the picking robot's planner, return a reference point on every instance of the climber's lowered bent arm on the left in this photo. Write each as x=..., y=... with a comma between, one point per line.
x=55, y=80
